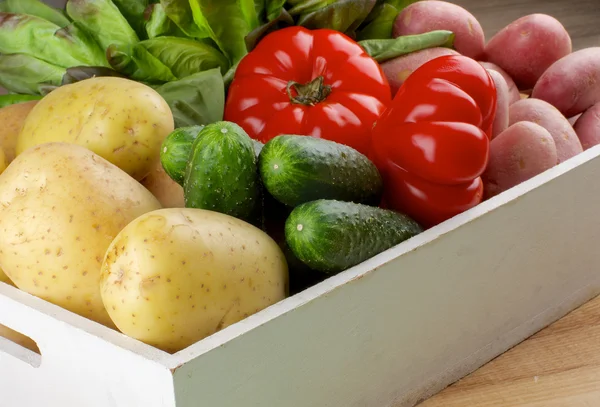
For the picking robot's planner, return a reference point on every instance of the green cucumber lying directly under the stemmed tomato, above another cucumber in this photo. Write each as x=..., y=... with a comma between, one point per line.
x=298, y=169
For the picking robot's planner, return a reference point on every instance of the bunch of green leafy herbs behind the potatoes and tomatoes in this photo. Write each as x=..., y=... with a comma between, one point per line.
x=187, y=50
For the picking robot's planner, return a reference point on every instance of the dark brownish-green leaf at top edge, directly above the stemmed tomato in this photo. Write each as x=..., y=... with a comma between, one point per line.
x=343, y=15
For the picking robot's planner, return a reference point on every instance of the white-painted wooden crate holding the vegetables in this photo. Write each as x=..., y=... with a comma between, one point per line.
x=387, y=333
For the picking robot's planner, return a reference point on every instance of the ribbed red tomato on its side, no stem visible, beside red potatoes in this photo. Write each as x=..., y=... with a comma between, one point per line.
x=432, y=144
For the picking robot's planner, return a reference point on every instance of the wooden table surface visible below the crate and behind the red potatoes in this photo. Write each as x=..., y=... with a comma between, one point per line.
x=559, y=366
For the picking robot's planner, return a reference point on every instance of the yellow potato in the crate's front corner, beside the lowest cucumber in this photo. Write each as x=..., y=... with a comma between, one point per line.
x=175, y=276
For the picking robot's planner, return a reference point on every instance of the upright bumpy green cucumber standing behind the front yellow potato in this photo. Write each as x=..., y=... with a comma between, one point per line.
x=221, y=174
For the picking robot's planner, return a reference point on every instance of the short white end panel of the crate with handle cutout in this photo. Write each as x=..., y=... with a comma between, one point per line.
x=76, y=367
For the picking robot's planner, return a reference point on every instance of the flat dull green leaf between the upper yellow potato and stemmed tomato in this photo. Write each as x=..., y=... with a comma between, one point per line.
x=198, y=99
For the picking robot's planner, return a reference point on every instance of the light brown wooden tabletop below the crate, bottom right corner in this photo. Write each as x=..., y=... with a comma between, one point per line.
x=557, y=367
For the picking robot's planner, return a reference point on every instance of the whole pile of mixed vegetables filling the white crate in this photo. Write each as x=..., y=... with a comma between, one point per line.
x=170, y=168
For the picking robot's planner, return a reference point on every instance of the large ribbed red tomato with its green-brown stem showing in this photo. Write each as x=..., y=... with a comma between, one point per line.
x=317, y=83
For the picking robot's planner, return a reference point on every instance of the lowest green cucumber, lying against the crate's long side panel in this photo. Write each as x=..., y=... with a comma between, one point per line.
x=331, y=236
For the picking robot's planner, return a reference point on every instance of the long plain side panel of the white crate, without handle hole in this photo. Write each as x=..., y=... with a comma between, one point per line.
x=419, y=322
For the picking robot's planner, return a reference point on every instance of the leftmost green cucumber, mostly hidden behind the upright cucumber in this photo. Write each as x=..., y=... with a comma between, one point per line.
x=175, y=151
